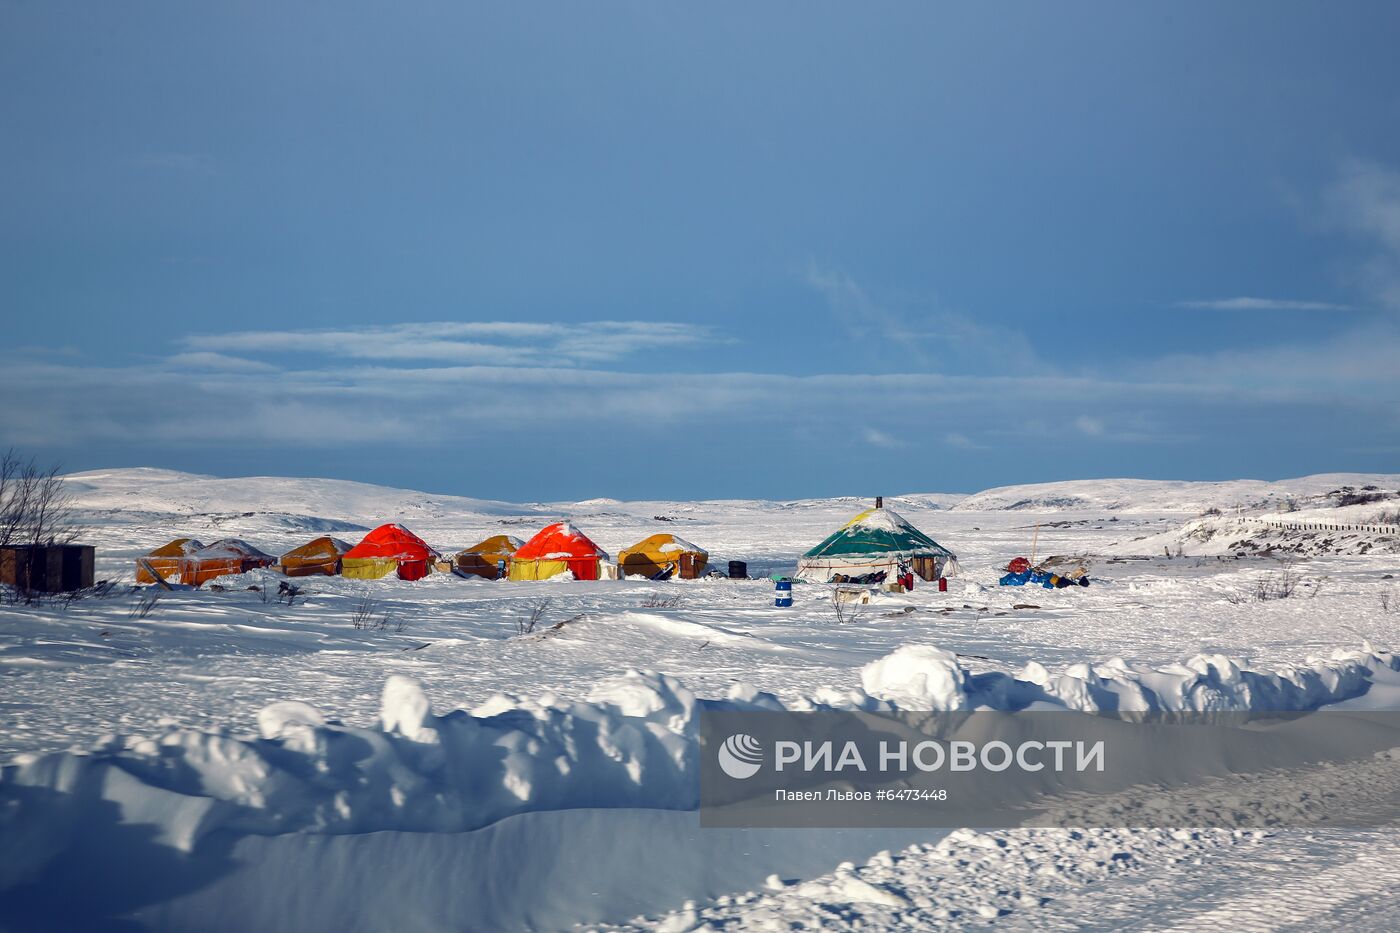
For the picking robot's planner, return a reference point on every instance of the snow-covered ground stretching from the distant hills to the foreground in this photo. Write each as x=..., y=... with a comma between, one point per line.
x=265, y=766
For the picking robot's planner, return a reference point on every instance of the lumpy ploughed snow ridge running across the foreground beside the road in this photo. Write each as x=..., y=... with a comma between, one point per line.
x=631, y=743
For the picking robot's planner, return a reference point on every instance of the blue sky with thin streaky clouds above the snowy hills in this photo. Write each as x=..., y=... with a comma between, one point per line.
x=556, y=251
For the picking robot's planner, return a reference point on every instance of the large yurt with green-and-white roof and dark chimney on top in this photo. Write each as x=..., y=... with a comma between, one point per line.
x=877, y=541
